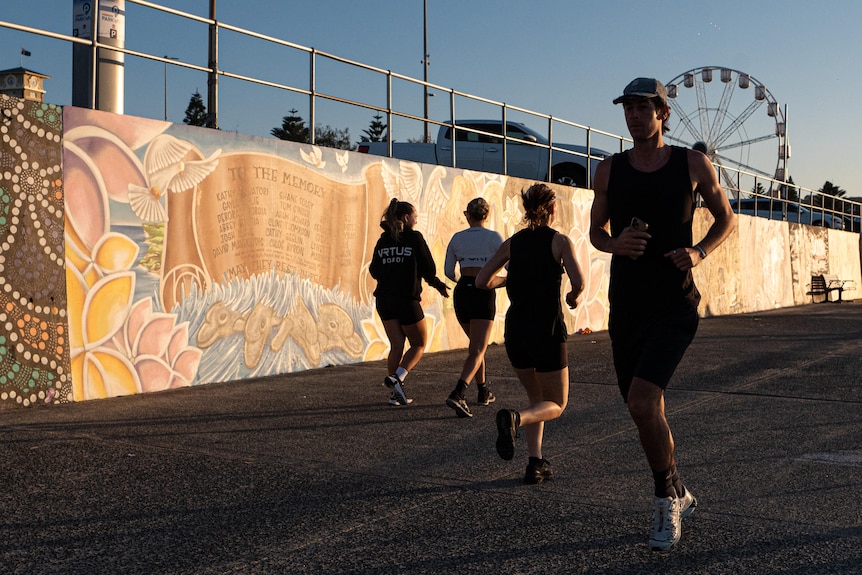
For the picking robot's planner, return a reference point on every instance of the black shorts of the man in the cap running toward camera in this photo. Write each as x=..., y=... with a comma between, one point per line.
x=652, y=349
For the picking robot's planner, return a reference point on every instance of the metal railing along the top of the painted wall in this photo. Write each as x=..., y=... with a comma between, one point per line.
x=737, y=183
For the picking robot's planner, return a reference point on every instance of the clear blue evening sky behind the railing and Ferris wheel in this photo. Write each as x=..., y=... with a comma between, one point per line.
x=557, y=57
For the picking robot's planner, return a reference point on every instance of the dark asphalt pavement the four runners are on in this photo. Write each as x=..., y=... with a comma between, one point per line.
x=315, y=473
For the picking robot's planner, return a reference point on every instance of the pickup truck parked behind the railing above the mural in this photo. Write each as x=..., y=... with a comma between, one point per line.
x=479, y=146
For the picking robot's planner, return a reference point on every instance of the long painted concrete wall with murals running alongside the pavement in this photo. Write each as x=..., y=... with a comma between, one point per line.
x=139, y=255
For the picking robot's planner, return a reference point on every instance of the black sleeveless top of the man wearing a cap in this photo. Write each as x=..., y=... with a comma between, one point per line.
x=664, y=199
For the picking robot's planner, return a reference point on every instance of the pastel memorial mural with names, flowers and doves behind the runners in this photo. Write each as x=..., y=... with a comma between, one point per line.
x=194, y=256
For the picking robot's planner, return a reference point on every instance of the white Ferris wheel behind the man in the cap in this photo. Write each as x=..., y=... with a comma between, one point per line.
x=736, y=118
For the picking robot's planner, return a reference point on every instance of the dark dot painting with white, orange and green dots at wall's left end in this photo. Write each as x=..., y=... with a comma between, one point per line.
x=34, y=354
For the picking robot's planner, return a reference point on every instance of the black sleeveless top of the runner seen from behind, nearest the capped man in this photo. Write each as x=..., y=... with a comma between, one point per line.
x=533, y=285
